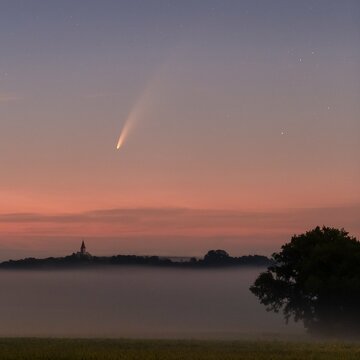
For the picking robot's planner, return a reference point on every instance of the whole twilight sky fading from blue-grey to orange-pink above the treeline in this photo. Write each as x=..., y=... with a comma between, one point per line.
x=247, y=124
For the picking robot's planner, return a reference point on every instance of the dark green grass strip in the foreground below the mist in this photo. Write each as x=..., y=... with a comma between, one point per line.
x=81, y=349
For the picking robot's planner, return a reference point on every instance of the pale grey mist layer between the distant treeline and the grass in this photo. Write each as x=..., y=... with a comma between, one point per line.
x=135, y=302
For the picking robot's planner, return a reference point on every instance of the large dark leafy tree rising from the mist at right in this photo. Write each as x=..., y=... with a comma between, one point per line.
x=315, y=279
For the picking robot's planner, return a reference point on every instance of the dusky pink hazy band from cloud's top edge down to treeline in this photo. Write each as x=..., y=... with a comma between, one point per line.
x=167, y=231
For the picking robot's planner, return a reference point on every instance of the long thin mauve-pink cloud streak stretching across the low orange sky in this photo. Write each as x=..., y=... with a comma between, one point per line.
x=195, y=218
